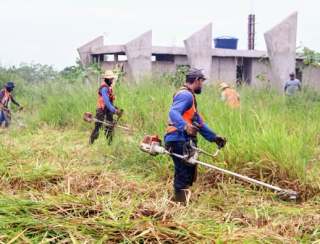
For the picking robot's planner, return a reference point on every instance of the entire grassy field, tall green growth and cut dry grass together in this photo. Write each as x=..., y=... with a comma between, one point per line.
x=54, y=187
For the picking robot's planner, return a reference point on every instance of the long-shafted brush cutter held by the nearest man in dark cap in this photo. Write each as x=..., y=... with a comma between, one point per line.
x=152, y=146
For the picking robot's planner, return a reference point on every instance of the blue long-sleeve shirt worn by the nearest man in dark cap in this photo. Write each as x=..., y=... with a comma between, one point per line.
x=181, y=103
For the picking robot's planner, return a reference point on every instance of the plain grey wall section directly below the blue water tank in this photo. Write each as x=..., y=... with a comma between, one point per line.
x=224, y=69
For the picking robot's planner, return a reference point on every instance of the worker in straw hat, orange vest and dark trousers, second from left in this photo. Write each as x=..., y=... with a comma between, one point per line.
x=105, y=108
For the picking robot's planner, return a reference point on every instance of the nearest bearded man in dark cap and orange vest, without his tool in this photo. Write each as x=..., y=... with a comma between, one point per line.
x=183, y=125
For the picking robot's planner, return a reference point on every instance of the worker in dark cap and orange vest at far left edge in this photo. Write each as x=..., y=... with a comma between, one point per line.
x=5, y=98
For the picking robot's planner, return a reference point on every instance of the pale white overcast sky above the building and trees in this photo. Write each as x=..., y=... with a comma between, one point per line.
x=50, y=31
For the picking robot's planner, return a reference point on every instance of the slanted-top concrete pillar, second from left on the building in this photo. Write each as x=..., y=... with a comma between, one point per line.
x=138, y=52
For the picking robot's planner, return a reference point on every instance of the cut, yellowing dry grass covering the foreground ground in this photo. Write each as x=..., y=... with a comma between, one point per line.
x=56, y=188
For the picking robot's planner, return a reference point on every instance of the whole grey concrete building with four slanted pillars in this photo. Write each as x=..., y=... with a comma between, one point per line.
x=139, y=57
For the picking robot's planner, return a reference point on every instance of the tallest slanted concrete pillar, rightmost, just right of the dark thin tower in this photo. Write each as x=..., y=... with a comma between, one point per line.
x=281, y=46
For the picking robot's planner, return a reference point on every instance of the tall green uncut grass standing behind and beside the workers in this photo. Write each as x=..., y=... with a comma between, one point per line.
x=267, y=132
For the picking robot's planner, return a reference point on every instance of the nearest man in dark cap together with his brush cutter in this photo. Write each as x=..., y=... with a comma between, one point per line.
x=181, y=140
